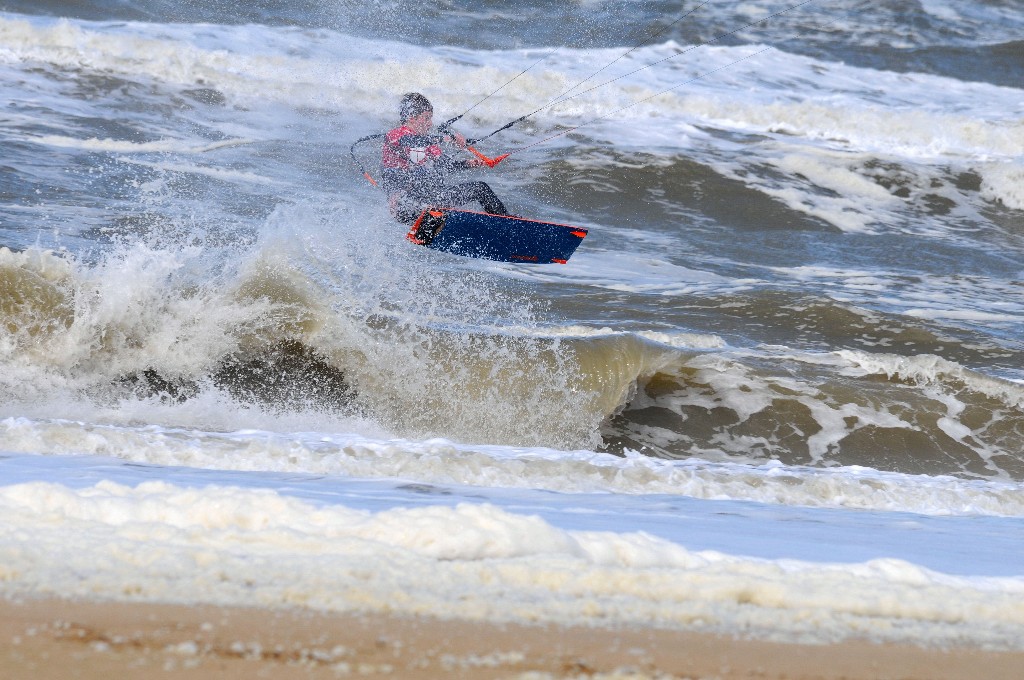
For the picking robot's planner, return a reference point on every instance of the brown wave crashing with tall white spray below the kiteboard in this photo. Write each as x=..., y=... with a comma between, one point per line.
x=169, y=327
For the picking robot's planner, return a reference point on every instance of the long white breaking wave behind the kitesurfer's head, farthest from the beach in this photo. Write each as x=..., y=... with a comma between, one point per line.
x=349, y=73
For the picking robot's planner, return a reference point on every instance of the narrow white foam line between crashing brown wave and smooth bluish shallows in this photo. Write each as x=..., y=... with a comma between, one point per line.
x=444, y=462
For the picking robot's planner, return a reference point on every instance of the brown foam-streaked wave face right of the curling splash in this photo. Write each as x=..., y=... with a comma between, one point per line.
x=947, y=420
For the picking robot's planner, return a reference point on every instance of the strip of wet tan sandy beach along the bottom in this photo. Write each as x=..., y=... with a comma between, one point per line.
x=44, y=640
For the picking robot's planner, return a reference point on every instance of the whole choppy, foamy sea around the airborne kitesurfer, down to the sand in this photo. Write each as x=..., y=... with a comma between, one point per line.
x=800, y=305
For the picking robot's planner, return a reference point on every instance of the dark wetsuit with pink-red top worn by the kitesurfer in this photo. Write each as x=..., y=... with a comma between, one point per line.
x=413, y=173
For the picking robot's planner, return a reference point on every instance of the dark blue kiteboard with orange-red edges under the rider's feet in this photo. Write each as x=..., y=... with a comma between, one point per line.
x=502, y=238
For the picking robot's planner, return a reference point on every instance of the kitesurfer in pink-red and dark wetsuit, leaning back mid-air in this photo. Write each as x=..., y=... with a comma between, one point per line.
x=414, y=166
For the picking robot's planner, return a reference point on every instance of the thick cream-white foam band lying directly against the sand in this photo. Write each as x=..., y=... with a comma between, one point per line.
x=157, y=542
